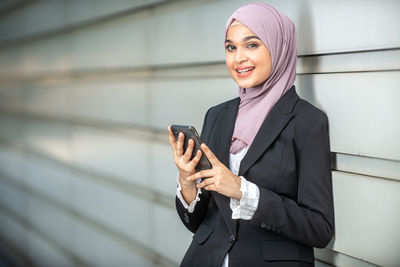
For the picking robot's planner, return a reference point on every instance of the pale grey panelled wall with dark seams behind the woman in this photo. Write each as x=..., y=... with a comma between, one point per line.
x=88, y=88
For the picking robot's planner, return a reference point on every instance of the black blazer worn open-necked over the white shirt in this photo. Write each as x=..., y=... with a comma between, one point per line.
x=289, y=160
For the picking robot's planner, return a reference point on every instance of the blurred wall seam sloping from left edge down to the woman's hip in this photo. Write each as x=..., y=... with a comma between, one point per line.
x=121, y=238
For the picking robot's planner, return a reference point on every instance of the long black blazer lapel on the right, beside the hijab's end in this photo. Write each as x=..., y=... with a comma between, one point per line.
x=273, y=124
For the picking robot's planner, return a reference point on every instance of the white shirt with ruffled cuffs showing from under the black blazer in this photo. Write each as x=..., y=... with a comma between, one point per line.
x=241, y=209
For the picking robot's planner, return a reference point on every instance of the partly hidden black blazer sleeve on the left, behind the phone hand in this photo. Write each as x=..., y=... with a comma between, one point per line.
x=192, y=220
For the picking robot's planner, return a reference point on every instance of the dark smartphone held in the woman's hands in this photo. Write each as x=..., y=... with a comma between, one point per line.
x=191, y=133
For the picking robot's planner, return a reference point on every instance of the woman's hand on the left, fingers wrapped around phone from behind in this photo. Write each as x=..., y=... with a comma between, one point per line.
x=186, y=167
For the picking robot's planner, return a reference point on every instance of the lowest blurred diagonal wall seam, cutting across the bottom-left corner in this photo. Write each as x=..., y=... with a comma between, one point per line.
x=28, y=225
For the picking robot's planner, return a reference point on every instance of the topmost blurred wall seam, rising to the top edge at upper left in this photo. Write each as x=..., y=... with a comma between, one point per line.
x=74, y=26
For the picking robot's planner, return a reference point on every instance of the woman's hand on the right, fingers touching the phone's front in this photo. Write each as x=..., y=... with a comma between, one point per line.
x=219, y=178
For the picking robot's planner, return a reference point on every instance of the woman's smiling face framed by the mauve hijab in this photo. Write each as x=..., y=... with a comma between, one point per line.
x=247, y=58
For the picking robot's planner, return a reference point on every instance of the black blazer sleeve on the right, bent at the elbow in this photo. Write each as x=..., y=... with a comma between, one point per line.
x=310, y=219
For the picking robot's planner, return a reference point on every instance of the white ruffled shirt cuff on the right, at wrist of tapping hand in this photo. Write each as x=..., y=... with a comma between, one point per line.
x=247, y=205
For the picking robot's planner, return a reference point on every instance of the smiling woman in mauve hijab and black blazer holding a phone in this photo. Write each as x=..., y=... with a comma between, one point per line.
x=267, y=201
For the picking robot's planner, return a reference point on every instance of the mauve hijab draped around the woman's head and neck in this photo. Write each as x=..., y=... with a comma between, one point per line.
x=278, y=34
